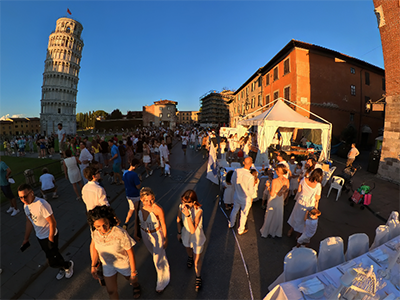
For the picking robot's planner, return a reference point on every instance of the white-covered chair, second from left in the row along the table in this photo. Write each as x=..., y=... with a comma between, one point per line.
x=330, y=253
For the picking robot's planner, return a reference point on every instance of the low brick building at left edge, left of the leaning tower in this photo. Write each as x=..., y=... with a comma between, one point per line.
x=19, y=126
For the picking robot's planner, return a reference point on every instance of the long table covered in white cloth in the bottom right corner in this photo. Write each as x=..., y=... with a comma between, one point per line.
x=330, y=278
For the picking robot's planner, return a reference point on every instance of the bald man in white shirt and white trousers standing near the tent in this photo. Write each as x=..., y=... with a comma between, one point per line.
x=243, y=183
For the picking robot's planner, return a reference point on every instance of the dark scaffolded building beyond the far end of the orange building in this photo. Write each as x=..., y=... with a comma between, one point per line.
x=215, y=107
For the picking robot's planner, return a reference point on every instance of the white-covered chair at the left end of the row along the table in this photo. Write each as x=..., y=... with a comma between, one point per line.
x=299, y=262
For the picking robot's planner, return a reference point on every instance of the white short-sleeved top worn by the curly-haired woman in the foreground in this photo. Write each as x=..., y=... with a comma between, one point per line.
x=112, y=247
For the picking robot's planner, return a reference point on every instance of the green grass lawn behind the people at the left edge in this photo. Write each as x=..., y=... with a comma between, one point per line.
x=19, y=164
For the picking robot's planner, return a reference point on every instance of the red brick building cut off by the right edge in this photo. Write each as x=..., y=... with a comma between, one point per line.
x=388, y=14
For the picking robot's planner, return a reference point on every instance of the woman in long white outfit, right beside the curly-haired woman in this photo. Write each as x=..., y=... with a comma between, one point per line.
x=150, y=221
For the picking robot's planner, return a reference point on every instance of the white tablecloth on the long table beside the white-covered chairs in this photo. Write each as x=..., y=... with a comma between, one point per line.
x=289, y=290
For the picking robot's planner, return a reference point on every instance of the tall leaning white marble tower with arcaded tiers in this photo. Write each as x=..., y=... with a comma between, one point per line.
x=60, y=77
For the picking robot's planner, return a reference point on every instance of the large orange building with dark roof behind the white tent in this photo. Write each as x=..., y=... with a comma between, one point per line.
x=328, y=83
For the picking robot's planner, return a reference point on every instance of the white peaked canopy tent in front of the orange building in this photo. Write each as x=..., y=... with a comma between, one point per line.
x=281, y=116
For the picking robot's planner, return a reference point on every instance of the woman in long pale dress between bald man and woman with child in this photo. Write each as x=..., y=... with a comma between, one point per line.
x=273, y=220
